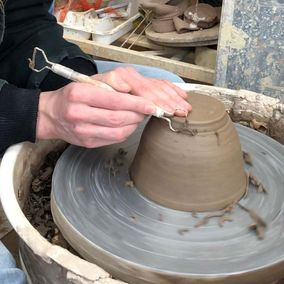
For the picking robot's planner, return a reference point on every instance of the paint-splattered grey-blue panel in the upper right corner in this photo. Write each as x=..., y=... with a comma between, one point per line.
x=251, y=40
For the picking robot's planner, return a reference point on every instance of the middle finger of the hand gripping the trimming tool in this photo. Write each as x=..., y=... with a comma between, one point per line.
x=103, y=117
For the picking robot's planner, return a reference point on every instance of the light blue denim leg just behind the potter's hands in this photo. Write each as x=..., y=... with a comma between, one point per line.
x=153, y=72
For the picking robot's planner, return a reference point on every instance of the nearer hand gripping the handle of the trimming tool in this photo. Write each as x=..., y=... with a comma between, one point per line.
x=85, y=115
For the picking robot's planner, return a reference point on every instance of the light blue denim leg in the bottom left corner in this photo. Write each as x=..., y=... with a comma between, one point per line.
x=8, y=272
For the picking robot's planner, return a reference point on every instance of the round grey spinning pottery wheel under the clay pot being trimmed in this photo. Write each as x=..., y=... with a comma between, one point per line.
x=133, y=238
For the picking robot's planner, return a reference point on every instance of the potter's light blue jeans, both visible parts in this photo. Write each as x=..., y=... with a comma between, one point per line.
x=9, y=274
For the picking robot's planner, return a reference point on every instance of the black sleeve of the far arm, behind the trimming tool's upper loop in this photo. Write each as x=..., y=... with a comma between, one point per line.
x=29, y=24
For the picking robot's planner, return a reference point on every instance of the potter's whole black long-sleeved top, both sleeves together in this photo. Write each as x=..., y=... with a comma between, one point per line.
x=28, y=24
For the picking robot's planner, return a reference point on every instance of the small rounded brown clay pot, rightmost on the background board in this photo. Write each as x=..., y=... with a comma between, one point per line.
x=202, y=16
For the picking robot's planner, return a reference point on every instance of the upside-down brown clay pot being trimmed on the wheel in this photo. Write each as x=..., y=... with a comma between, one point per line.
x=198, y=169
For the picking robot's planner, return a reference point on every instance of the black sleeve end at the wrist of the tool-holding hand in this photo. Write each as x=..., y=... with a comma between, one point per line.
x=18, y=115
